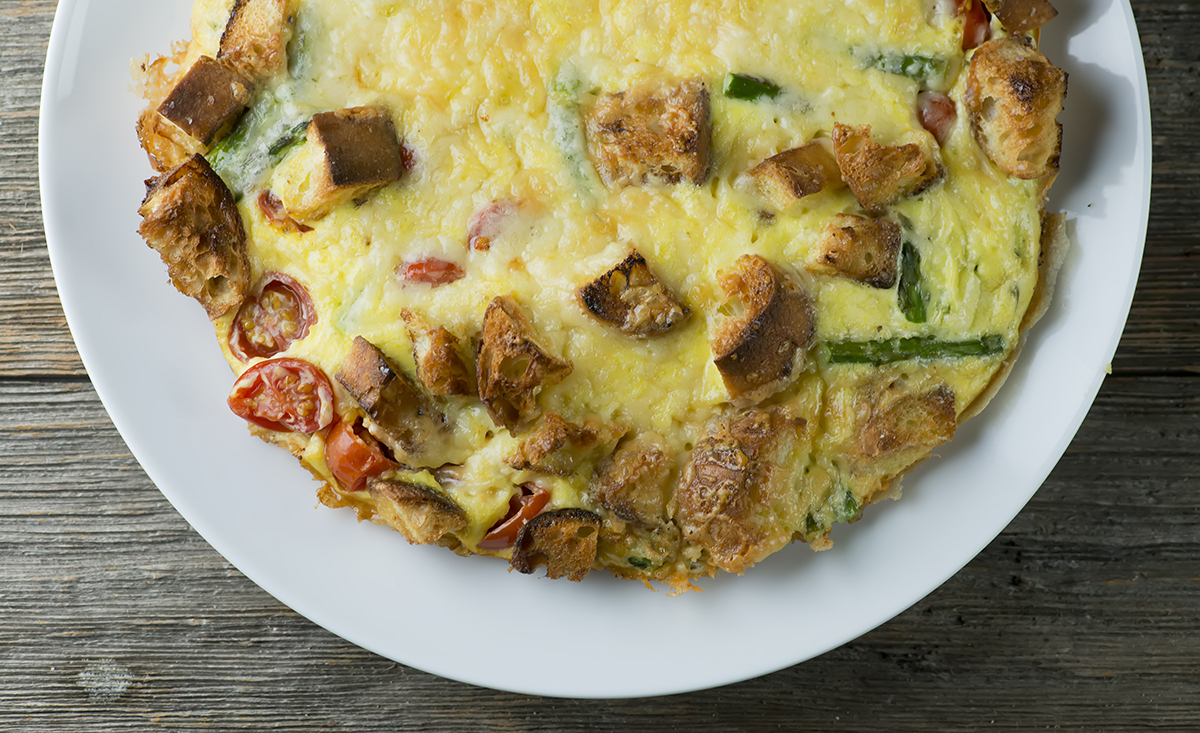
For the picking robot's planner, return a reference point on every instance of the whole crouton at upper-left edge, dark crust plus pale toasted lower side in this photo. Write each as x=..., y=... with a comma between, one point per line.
x=200, y=109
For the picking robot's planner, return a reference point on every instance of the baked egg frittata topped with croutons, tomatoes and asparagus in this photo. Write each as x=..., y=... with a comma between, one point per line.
x=650, y=287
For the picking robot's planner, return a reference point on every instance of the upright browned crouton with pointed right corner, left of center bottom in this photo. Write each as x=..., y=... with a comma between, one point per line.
x=512, y=366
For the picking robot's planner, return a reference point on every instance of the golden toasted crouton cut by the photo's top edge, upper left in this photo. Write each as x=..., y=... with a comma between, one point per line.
x=256, y=38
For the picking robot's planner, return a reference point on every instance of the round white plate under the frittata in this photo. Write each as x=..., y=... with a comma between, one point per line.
x=151, y=355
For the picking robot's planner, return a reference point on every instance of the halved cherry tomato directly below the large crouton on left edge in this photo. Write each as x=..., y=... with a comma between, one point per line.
x=269, y=323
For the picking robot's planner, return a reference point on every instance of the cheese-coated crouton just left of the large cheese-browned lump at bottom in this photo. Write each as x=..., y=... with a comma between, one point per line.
x=635, y=483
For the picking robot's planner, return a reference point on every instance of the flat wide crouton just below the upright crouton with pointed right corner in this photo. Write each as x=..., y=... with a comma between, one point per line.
x=557, y=447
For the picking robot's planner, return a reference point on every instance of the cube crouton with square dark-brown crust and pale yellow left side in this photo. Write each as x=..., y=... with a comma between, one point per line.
x=350, y=153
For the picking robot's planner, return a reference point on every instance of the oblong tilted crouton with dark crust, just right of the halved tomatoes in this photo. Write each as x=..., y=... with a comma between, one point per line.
x=387, y=395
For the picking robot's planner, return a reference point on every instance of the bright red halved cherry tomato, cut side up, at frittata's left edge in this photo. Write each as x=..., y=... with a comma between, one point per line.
x=284, y=395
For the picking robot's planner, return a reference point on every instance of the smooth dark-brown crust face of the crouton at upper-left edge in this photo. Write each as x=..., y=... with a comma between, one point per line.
x=207, y=101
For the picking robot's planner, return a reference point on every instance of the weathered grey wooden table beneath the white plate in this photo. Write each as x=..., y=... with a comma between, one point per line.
x=115, y=615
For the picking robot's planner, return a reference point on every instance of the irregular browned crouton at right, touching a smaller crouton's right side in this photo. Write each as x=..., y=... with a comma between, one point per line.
x=881, y=176
